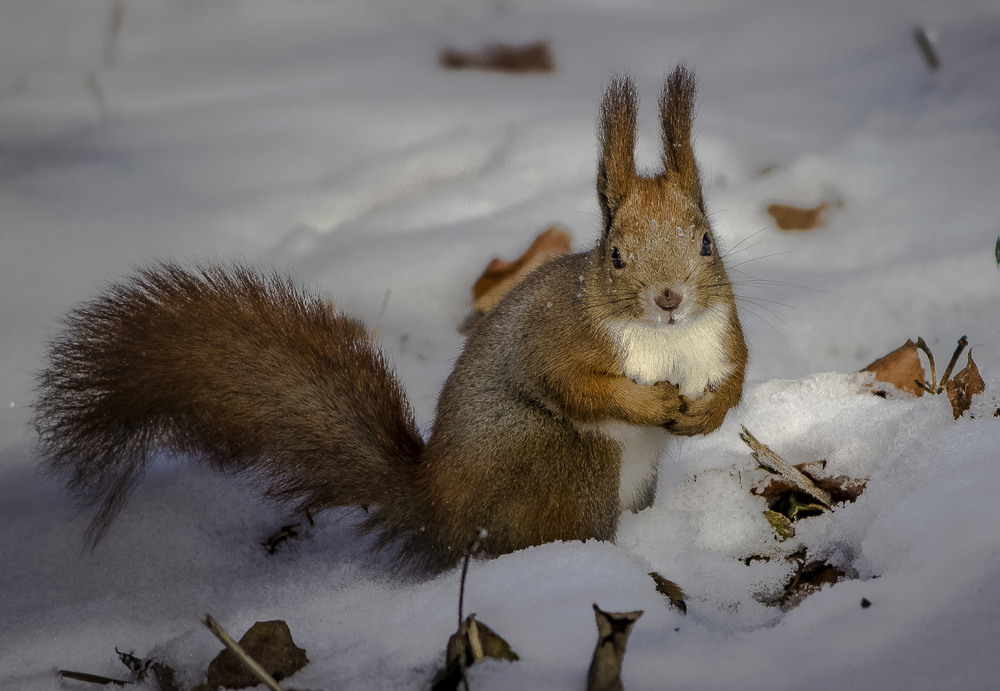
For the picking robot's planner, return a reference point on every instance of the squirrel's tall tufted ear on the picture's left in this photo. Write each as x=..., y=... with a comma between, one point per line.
x=616, y=170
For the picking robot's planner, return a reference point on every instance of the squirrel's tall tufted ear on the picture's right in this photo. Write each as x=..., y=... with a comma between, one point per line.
x=676, y=117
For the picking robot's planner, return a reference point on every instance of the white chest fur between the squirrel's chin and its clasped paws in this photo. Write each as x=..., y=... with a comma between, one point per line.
x=691, y=354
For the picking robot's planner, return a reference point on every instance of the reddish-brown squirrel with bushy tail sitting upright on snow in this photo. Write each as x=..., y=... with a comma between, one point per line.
x=551, y=424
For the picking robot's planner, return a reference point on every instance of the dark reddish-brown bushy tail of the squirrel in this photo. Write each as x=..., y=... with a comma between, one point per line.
x=239, y=369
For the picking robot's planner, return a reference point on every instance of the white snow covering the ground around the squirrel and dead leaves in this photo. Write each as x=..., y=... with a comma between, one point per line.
x=322, y=138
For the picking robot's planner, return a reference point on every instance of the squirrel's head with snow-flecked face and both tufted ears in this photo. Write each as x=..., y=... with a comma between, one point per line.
x=659, y=260
